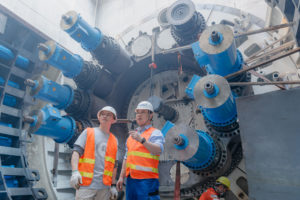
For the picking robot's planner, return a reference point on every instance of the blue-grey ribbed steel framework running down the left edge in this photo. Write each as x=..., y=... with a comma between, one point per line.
x=16, y=179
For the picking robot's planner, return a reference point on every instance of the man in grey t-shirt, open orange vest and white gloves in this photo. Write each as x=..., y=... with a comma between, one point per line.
x=94, y=160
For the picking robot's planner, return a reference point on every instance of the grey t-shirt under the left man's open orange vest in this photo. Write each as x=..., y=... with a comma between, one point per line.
x=101, y=139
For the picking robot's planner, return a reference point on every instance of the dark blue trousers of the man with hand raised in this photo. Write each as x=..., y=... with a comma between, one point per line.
x=139, y=189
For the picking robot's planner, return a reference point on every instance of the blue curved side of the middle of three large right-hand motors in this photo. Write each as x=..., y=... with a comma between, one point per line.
x=222, y=115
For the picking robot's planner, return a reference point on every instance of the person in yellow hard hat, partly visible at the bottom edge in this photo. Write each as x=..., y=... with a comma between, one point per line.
x=221, y=187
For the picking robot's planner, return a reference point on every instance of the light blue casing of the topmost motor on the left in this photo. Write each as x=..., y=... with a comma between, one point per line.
x=89, y=38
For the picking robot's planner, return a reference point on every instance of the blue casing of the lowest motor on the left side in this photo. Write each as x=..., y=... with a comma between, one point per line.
x=60, y=128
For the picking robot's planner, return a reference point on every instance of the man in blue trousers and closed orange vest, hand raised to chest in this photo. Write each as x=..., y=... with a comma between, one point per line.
x=140, y=165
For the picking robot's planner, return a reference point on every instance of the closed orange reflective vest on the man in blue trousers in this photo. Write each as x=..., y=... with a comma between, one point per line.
x=140, y=163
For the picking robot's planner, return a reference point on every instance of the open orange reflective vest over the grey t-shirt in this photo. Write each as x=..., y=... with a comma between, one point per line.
x=87, y=160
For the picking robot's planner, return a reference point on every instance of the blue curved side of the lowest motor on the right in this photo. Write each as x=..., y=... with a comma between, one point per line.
x=205, y=154
